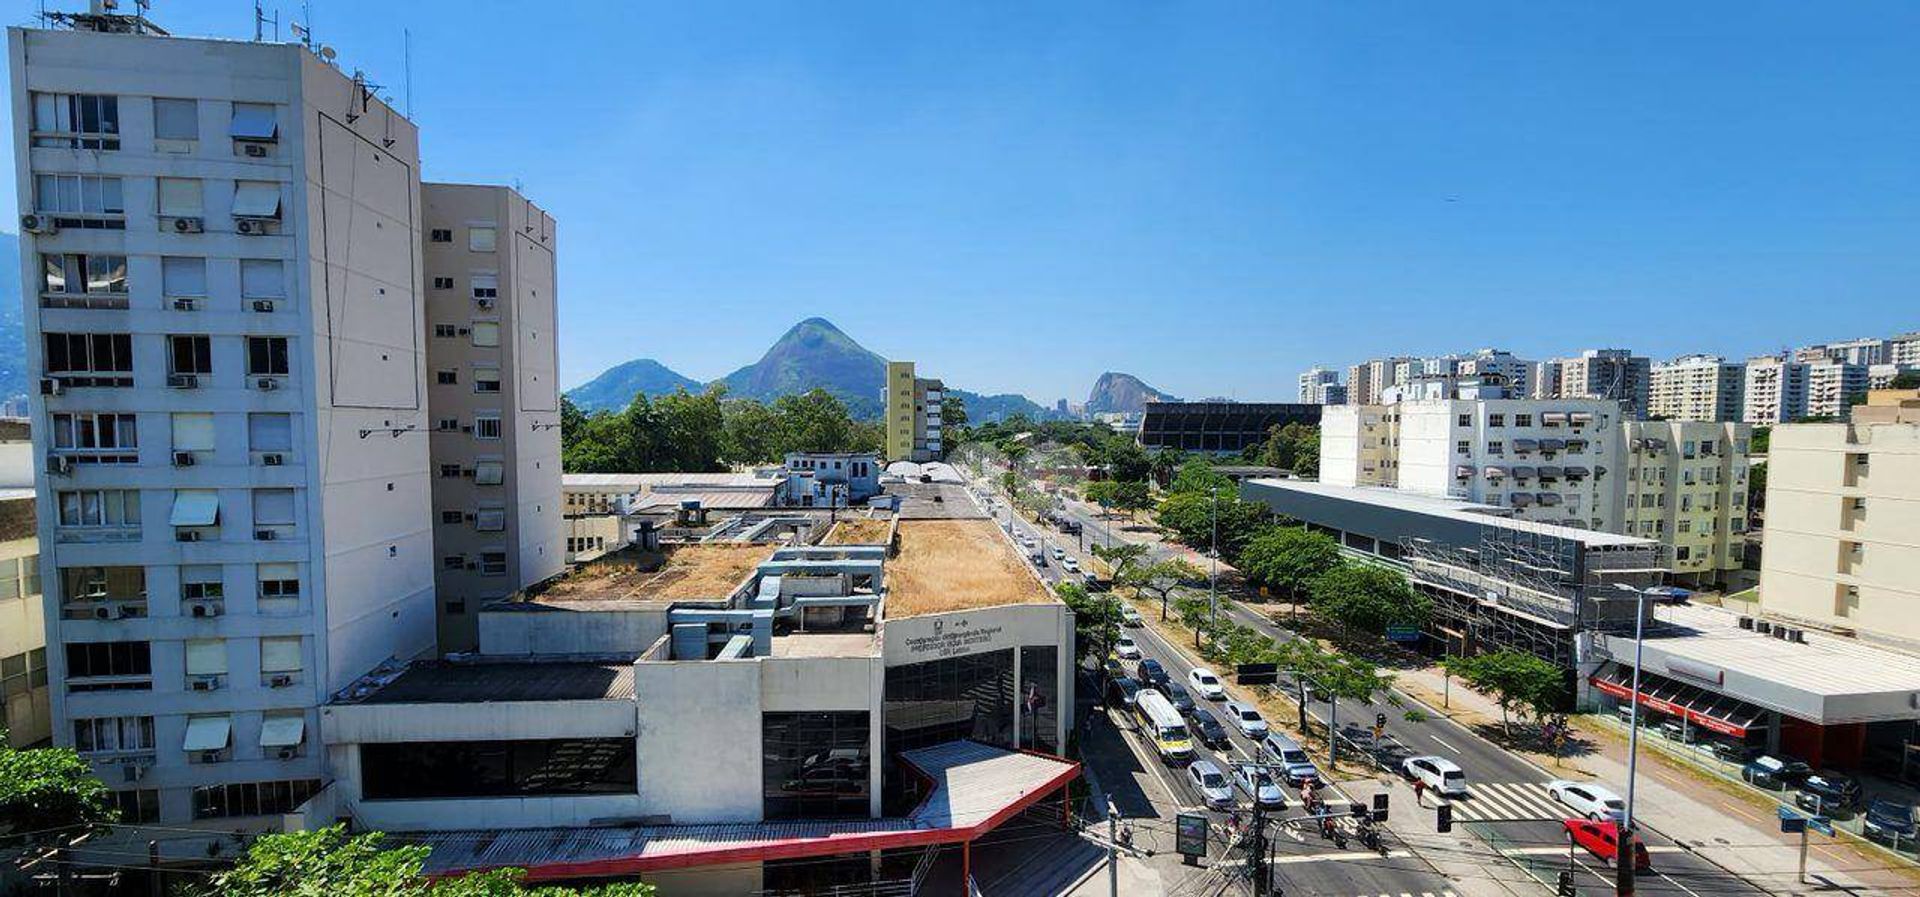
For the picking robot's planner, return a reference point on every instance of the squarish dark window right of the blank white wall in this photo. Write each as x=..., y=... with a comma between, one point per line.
x=815, y=765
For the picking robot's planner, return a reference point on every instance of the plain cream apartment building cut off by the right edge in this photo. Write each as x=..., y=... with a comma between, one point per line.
x=1844, y=521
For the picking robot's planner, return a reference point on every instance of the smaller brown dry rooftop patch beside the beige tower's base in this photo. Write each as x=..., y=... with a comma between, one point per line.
x=684, y=573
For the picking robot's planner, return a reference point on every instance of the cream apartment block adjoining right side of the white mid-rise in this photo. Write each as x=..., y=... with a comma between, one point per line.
x=1685, y=483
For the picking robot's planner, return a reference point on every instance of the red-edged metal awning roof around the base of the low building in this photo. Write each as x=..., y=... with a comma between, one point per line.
x=974, y=790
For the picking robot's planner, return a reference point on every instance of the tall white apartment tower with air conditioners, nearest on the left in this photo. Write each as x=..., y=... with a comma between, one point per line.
x=224, y=308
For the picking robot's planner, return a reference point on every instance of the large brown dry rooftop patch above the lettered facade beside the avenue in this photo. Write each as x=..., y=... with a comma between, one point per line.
x=953, y=566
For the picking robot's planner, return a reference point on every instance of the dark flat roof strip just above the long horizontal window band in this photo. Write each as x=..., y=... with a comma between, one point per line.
x=483, y=683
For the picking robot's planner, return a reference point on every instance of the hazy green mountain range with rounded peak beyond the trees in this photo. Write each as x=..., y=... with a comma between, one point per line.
x=813, y=354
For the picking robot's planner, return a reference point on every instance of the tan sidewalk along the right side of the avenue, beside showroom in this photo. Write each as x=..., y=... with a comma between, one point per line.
x=1717, y=819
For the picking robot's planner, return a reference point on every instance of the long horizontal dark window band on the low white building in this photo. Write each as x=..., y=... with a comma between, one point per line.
x=498, y=769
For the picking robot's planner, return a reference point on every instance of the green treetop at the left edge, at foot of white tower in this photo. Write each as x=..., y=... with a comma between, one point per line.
x=49, y=794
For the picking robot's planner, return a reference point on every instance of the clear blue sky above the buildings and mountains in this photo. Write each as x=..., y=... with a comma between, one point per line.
x=1211, y=197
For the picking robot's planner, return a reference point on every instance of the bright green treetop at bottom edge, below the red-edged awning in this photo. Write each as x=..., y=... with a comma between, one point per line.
x=329, y=863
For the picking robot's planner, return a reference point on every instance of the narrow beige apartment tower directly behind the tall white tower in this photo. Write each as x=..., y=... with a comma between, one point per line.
x=494, y=400
